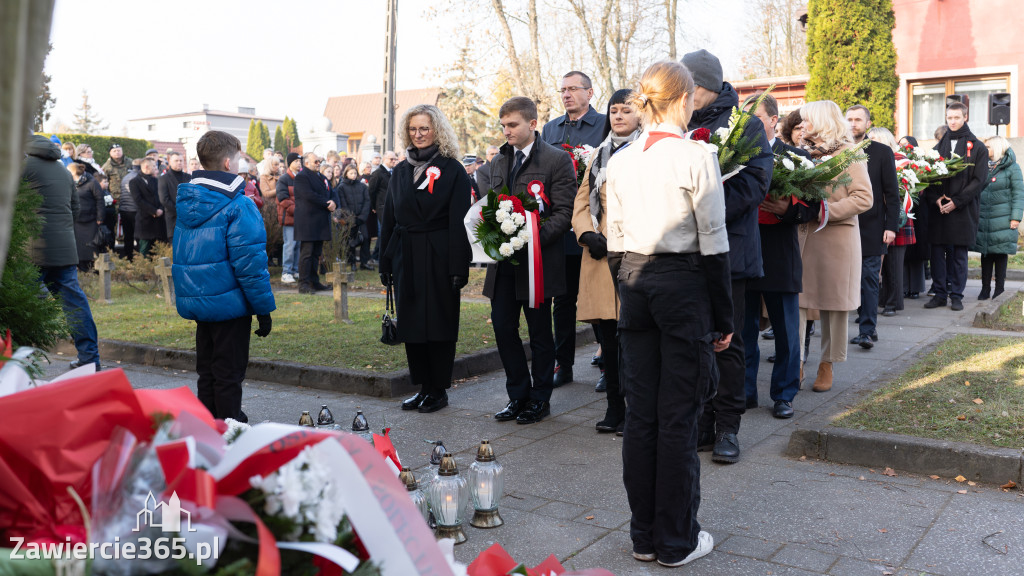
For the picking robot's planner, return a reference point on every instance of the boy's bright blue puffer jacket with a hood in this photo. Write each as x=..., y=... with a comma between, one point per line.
x=220, y=252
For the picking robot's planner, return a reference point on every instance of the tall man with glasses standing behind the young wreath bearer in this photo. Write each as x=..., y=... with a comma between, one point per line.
x=580, y=126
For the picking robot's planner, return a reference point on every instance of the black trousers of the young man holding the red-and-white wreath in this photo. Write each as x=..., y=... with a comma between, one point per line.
x=505, y=311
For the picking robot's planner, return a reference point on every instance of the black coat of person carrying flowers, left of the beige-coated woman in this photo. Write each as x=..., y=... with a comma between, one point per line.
x=784, y=269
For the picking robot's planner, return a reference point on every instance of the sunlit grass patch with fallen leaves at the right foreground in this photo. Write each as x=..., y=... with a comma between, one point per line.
x=969, y=389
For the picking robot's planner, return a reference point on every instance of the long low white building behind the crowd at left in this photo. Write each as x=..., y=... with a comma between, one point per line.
x=189, y=128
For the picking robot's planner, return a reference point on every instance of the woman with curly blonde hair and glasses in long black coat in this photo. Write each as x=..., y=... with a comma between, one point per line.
x=426, y=252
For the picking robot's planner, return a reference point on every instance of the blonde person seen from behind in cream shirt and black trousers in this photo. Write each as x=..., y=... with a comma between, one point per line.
x=669, y=251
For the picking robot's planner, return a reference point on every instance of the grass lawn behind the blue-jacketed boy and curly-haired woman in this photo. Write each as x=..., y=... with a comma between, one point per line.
x=305, y=330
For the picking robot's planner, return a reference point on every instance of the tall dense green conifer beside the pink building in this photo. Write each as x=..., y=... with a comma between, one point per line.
x=851, y=56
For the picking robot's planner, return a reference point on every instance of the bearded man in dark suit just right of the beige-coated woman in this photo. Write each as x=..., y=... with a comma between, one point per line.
x=878, y=226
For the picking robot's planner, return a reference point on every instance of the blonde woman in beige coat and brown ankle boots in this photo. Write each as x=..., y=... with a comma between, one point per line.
x=832, y=257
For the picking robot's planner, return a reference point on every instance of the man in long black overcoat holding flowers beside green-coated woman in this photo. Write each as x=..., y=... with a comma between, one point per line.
x=954, y=210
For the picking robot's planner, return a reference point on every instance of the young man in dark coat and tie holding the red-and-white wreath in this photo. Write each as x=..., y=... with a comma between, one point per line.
x=524, y=160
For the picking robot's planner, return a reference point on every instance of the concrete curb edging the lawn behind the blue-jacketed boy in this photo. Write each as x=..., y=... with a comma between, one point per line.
x=390, y=385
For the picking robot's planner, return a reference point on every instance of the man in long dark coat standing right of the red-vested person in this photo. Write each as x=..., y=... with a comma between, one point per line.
x=314, y=205
